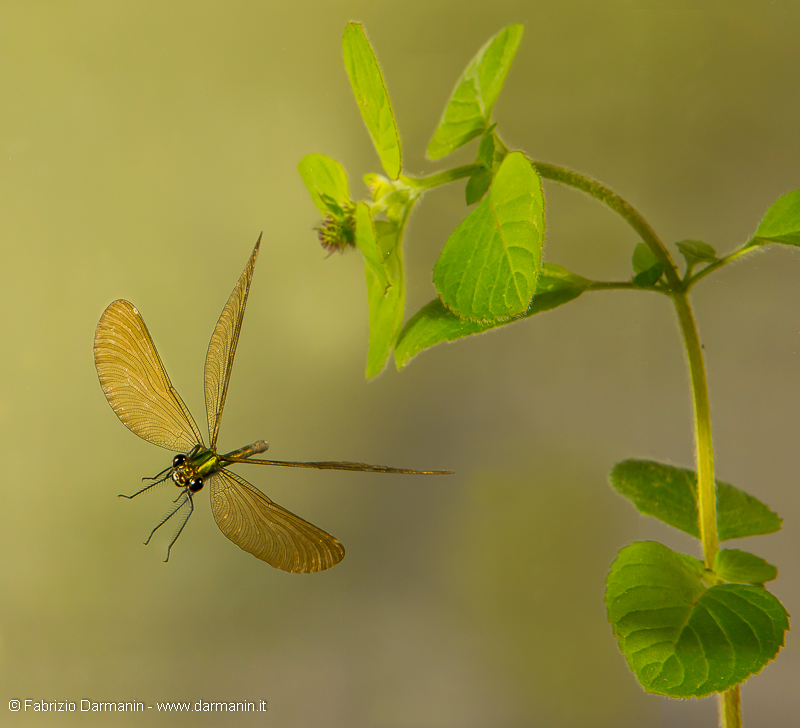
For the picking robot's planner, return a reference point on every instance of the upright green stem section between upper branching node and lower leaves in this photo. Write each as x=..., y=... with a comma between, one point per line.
x=704, y=453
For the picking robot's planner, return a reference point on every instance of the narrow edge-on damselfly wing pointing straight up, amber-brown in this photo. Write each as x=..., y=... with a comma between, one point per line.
x=222, y=348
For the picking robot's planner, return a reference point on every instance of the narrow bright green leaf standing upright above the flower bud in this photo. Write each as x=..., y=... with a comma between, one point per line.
x=372, y=97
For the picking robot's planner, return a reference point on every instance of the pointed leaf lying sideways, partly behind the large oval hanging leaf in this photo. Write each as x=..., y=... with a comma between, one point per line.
x=434, y=323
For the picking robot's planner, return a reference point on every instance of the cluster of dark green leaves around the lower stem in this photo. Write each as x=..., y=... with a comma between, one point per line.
x=681, y=637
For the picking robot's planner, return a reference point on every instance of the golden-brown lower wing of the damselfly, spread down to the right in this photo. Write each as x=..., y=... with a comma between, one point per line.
x=271, y=533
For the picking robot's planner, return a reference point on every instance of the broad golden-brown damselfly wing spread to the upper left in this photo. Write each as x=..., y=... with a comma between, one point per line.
x=136, y=384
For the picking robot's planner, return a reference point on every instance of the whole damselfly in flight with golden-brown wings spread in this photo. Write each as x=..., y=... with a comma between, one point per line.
x=139, y=391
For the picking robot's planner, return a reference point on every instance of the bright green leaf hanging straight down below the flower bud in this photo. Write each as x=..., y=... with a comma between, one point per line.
x=385, y=304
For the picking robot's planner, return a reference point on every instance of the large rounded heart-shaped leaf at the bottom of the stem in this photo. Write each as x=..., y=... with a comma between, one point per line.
x=680, y=638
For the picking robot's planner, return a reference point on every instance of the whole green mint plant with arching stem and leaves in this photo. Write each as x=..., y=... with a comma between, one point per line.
x=687, y=627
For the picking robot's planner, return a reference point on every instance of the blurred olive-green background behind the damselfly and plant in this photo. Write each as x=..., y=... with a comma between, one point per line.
x=144, y=147
